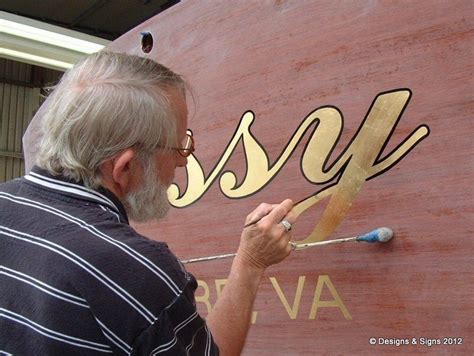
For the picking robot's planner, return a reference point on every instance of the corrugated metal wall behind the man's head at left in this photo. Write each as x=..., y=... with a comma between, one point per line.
x=20, y=97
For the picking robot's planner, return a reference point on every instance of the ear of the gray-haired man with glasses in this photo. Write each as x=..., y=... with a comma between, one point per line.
x=120, y=172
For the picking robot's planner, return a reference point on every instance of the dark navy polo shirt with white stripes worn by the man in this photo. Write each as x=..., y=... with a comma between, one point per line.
x=76, y=279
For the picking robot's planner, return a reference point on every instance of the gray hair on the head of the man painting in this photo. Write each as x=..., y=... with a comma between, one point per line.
x=106, y=103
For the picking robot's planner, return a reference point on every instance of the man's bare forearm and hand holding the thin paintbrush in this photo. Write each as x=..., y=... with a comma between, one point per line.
x=261, y=245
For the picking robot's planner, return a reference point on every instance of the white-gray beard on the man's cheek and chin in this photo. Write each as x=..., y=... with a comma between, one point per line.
x=150, y=201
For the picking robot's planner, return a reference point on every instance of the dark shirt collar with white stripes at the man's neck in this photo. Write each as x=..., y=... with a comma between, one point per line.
x=69, y=187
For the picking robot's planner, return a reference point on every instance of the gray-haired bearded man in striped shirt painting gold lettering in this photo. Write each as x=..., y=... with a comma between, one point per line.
x=76, y=278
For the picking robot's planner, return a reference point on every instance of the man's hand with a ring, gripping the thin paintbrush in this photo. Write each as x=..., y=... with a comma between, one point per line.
x=267, y=241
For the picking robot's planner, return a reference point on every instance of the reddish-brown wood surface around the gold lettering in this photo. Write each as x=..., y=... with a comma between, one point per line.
x=283, y=59
